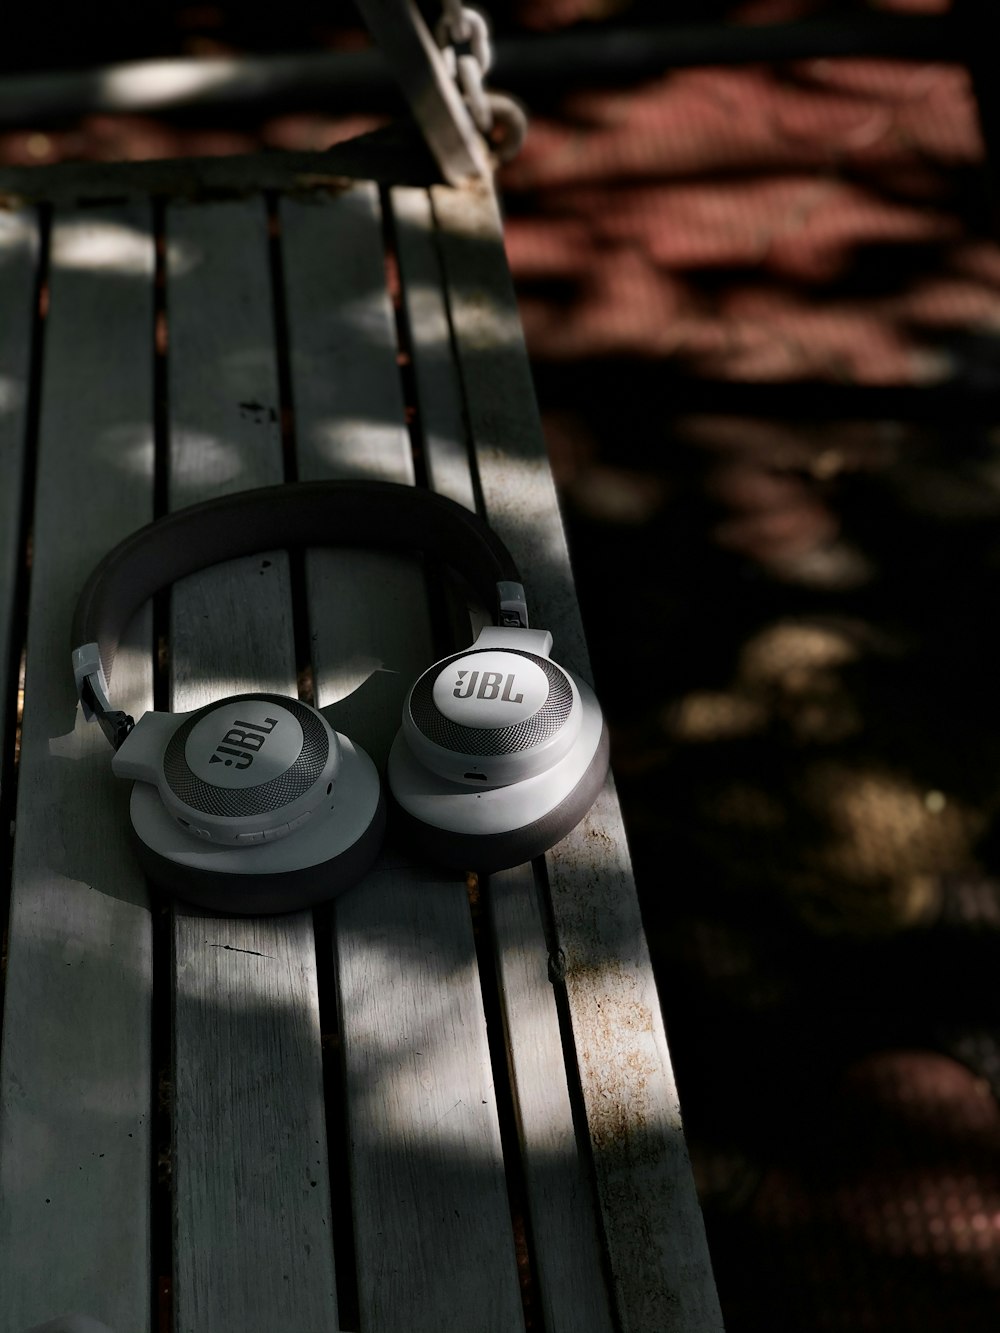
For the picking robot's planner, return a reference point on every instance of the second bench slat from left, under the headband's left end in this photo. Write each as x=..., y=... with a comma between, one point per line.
x=75, y=1099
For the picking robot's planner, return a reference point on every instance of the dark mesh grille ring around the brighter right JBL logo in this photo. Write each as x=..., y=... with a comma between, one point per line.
x=498, y=740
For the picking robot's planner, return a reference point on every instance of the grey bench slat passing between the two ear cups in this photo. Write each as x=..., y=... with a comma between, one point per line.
x=431, y=1220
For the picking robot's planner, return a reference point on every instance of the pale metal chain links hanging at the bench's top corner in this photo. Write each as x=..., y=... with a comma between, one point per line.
x=463, y=37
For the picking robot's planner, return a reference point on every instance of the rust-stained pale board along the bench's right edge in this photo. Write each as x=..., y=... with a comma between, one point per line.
x=653, y=1222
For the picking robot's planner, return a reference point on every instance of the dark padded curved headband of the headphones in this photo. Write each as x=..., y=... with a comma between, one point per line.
x=302, y=514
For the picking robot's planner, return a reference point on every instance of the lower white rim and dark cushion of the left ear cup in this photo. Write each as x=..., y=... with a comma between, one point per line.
x=319, y=860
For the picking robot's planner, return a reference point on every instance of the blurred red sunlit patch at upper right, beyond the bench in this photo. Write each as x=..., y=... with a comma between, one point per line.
x=758, y=225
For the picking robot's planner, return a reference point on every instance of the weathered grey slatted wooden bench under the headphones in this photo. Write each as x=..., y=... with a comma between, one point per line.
x=441, y=1104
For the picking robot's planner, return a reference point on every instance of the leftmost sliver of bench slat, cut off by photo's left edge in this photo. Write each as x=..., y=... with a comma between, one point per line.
x=19, y=249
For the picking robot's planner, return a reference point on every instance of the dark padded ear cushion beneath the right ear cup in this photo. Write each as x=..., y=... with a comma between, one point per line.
x=487, y=852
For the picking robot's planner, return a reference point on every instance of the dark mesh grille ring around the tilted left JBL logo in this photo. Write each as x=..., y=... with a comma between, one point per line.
x=235, y=803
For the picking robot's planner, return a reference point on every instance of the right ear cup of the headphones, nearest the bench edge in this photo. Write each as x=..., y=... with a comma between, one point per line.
x=473, y=823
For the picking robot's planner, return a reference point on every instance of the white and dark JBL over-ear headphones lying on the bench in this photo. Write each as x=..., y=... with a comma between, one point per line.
x=255, y=804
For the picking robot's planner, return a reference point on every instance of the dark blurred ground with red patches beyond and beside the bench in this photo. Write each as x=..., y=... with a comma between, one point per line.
x=762, y=297
